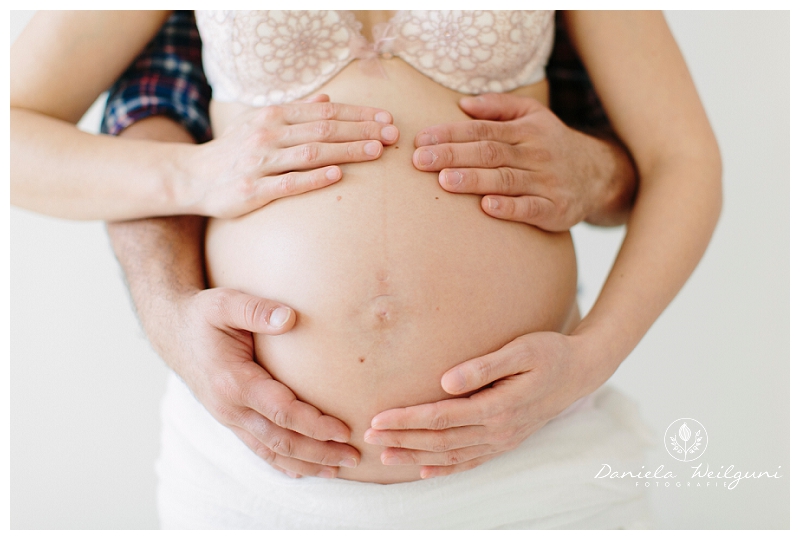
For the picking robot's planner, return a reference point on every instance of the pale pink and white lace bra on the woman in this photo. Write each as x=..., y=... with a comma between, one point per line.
x=269, y=57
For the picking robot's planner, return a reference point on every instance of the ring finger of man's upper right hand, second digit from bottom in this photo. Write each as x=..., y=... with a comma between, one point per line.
x=502, y=180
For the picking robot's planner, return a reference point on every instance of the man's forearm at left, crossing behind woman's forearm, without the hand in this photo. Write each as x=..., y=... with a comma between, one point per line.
x=162, y=258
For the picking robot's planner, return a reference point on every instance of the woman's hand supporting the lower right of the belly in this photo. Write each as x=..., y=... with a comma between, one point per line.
x=533, y=379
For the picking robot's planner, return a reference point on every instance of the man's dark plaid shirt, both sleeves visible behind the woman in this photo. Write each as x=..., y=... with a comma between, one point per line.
x=168, y=79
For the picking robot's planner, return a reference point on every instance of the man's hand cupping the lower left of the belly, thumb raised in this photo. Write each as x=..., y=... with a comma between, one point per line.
x=215, y=348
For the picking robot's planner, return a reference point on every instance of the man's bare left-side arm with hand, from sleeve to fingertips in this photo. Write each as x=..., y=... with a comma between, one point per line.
x=205, y=337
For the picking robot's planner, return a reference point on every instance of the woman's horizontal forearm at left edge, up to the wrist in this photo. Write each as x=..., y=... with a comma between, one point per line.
x=59, y=170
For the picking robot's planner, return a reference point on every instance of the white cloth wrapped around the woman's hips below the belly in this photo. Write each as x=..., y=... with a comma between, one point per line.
x=208, y=479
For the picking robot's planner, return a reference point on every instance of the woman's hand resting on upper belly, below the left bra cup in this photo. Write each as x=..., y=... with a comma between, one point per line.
x=279, y=151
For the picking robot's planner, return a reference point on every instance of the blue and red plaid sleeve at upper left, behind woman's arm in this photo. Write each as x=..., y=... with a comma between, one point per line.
x=166, y=79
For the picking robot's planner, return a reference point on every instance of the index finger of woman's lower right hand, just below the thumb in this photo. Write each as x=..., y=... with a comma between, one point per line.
x=441, y=415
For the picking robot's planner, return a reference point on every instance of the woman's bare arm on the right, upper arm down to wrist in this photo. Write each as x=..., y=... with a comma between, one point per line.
x=649, y=96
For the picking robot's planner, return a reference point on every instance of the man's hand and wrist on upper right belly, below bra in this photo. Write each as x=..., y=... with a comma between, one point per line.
x=529, y=165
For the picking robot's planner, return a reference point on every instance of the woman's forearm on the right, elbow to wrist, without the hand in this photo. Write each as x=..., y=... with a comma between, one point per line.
x=670, y=226
